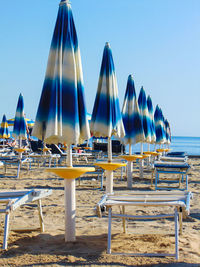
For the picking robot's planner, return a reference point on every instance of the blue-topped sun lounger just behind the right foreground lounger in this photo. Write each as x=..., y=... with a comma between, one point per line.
x=172, y=168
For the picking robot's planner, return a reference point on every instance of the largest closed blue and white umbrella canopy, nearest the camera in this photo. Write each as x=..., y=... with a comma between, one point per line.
x=62, y=115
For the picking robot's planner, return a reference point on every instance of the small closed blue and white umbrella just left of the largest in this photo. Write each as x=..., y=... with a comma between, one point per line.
x=19, y=129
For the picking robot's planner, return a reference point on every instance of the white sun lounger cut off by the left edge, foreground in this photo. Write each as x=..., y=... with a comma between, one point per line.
x=11, y=200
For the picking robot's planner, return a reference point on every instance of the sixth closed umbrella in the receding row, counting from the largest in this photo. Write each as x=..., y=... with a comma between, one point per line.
x=159, y=126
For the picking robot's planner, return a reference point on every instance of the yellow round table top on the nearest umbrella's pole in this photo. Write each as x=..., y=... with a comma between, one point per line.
x=70, y=172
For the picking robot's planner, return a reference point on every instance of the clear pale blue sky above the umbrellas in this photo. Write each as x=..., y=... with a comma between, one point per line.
x=158, y=41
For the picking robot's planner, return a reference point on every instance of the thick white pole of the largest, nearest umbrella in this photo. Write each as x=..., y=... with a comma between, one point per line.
x=70, y=202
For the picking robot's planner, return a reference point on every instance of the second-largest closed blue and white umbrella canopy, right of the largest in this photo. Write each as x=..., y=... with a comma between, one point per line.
x=106, y=116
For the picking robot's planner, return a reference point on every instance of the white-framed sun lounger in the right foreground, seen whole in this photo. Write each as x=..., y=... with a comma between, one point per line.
x=178, y=201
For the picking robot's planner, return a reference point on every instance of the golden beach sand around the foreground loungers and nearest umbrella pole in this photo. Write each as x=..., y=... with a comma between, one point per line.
x=49, y=248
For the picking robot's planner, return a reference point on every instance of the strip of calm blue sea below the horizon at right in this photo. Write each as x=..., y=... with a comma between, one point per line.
x=187, y=144
